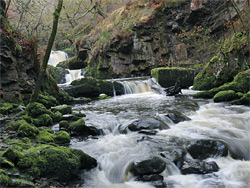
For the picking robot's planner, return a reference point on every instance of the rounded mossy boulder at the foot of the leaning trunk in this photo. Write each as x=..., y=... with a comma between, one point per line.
x=36, y=109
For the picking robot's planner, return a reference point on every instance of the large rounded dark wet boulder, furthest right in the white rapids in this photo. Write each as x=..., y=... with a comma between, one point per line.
x=203, y=149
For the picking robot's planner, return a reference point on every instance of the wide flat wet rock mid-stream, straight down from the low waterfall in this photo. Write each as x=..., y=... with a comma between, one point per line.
x=148, y=124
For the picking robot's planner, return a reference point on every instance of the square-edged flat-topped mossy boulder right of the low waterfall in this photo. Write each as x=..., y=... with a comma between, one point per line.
x=168, y=76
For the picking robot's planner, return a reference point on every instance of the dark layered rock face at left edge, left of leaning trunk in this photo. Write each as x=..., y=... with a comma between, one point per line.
x=18, y=60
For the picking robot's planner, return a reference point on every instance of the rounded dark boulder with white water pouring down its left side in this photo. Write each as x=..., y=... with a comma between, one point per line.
x=154, y=165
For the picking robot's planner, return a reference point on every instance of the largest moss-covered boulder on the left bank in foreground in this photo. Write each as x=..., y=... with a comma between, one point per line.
x=54, y=162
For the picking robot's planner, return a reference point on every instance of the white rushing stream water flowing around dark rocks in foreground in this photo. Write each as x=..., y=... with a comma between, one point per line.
x=115, y=152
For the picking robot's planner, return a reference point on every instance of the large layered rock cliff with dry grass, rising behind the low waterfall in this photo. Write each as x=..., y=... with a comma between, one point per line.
x=167, y=33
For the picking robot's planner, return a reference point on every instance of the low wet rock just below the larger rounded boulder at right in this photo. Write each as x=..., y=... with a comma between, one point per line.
x=198, y=167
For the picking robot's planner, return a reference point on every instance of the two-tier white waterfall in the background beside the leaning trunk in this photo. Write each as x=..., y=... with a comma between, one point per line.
x=59, y=56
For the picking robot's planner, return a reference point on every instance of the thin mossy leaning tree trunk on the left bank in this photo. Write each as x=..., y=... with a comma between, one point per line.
x=41, y=75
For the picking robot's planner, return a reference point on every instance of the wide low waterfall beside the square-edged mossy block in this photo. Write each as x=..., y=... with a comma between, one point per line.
x=142, y=86
